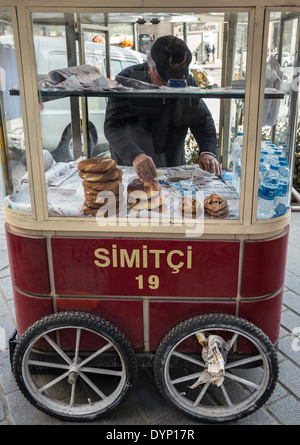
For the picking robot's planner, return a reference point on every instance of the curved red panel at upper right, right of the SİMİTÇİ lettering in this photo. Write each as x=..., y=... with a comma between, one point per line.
x=264, y=266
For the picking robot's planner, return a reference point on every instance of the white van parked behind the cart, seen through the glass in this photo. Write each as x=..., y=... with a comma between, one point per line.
x=51, y=54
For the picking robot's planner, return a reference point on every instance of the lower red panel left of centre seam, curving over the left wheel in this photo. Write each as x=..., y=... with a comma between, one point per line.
x=126, y=315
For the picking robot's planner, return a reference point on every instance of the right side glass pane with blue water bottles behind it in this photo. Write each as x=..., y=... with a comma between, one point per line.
x=280, y=116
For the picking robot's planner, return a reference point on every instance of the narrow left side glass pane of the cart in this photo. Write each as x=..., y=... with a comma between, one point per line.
x=14, y=184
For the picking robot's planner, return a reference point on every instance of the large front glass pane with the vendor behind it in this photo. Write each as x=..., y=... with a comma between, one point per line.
x=190, y=138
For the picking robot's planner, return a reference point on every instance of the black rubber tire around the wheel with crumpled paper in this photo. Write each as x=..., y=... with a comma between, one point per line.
x=213, y=322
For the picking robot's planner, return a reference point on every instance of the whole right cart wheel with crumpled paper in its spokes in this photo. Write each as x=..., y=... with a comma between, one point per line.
x=249, y=379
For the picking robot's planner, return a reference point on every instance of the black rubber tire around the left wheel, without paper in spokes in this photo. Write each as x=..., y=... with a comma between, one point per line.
x=106, y=330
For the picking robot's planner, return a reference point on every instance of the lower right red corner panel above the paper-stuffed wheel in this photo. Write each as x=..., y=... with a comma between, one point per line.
x=265, y=314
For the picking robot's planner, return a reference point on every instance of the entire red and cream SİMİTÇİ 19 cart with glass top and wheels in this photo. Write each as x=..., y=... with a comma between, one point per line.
x=153, y=206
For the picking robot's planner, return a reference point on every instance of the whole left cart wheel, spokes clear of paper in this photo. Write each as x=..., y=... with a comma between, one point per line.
x=74, y=365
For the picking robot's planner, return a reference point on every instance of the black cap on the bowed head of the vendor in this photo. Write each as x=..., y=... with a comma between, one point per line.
x=172, y=57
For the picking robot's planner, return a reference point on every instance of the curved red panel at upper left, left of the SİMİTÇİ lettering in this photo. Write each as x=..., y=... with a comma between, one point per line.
x=28, y=262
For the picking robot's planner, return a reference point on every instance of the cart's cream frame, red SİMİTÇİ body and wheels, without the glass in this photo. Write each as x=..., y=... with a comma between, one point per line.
x=96, y=302
